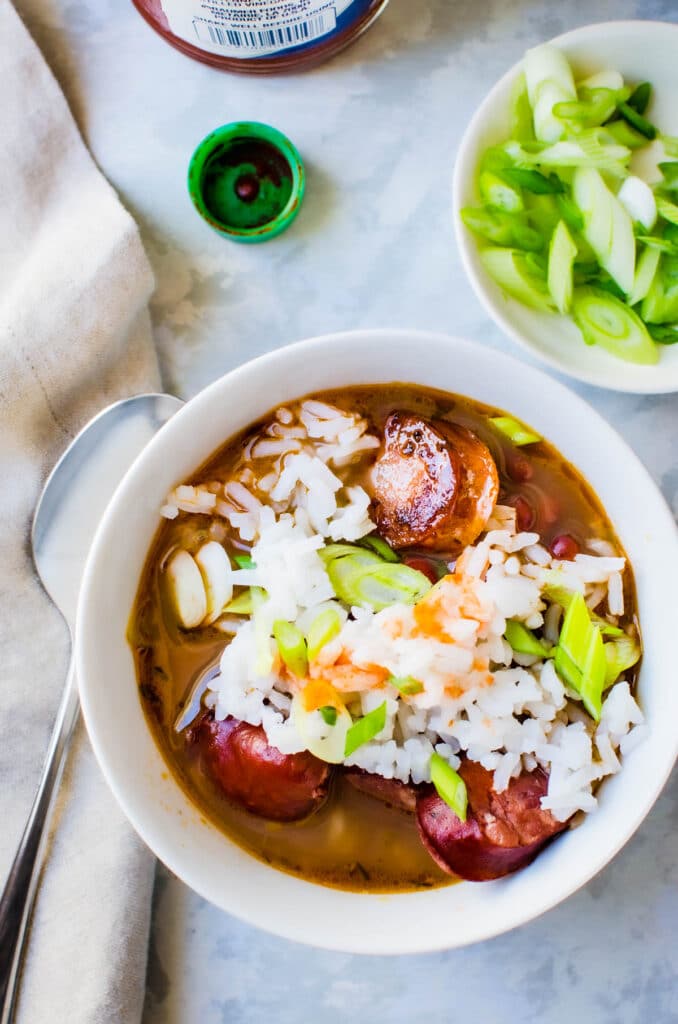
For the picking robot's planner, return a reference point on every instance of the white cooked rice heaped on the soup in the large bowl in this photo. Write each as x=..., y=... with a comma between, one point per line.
x=511, y=713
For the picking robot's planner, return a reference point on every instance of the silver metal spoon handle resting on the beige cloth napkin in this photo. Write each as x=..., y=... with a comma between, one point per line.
x=19, y=895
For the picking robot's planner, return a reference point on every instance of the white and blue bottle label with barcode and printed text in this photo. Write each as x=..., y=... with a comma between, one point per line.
x=260, y=28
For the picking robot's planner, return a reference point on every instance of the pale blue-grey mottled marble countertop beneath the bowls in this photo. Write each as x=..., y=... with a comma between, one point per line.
x=378, y=129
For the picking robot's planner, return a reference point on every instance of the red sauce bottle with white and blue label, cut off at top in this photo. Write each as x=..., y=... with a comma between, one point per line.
x=261, y=36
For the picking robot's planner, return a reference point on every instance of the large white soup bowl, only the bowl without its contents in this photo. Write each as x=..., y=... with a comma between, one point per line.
x=165, y=819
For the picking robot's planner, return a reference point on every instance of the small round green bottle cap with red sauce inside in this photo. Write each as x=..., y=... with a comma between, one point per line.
x=246, y=180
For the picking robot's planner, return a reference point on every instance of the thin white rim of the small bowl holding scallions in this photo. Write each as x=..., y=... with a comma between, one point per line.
x=657, y=382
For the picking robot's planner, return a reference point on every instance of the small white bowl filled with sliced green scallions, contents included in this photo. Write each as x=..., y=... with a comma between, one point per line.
x=566, y=199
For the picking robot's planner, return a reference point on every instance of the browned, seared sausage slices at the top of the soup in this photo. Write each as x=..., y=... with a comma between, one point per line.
x=436, y=484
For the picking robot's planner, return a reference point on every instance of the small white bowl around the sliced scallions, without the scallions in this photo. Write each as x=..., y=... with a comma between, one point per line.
x=641, y=51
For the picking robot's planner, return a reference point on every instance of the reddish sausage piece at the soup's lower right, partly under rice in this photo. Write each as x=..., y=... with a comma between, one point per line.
x=503, y=832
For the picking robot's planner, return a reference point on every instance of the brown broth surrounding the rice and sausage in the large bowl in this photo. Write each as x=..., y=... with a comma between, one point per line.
x=354, y=842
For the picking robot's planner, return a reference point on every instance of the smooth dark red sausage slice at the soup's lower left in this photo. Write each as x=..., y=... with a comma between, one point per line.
x=257, y=776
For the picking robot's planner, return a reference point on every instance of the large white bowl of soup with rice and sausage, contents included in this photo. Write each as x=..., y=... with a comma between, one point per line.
x=369, y=643
